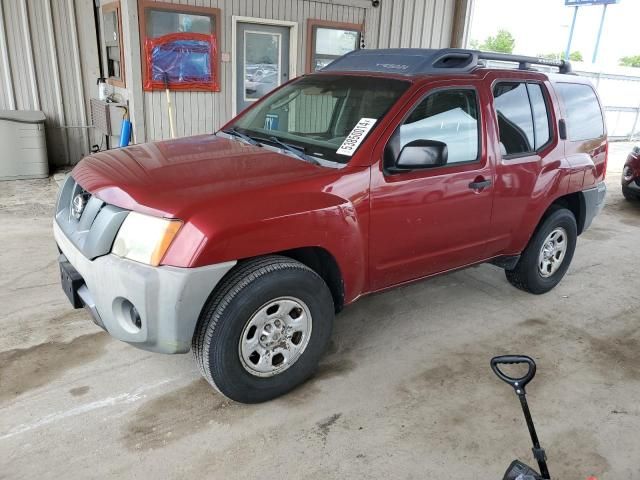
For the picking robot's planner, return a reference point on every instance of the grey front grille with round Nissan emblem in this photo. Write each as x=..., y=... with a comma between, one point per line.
x=89, y=223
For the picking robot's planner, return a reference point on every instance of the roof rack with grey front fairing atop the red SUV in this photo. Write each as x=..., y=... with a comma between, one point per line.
x=421, y=61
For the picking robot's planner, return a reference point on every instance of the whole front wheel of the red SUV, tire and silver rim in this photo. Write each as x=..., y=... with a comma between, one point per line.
x=264, y=330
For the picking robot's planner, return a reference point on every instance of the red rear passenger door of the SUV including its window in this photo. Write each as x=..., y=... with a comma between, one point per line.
x=528, y=157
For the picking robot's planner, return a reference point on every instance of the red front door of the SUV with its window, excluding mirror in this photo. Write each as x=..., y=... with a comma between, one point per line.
x=432, y=220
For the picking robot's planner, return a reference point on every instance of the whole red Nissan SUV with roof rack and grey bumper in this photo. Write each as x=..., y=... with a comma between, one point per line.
x=387, y=167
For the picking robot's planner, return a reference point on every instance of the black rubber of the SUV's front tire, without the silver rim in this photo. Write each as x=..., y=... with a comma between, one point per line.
x=247, y=288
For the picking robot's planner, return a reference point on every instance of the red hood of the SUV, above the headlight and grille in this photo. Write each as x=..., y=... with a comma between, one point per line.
x=169, y=178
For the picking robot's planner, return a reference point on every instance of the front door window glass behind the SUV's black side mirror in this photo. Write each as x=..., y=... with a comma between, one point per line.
x=448, y=116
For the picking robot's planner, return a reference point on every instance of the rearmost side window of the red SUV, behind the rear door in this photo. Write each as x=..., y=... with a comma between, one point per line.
x=584, y=118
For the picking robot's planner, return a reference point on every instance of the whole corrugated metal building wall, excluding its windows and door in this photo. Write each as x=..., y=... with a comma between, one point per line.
x=49, y=60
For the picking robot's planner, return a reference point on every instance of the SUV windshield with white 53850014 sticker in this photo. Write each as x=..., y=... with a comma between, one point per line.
x=324, y=116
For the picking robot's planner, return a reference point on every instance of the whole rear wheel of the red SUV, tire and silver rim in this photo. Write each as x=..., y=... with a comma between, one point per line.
x=547, y=257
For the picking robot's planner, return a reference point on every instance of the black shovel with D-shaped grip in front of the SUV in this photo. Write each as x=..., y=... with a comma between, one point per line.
x=518, y=470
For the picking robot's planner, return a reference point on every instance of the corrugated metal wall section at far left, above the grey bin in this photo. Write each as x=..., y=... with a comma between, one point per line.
x=49, y=62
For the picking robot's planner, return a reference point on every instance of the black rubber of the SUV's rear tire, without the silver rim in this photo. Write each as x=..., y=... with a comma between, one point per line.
x=526, y=274
